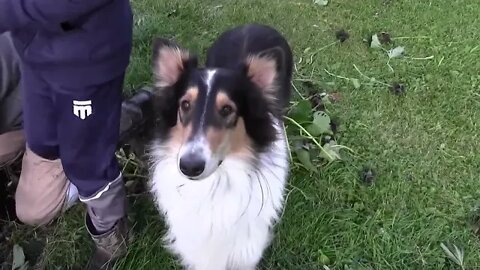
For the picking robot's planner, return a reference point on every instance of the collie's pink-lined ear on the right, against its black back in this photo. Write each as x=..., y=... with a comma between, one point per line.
x=263, y=70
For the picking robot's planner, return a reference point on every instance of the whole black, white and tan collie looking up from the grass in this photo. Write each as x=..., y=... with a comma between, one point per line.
x=219, y=162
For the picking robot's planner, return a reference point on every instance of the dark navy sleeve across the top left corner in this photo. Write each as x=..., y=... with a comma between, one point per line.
x=16, y=14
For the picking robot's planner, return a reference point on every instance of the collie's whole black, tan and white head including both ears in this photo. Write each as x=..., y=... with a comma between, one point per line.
x=215, y=113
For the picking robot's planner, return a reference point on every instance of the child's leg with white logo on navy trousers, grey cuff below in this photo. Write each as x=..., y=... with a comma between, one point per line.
x=88, y=132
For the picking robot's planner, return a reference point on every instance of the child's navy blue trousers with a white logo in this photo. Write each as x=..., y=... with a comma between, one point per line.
x=78, y=124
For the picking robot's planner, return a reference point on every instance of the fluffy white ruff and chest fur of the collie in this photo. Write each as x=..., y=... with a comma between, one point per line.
x=222, y=222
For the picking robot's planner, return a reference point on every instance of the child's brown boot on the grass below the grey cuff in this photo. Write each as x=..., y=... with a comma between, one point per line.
x=109, y=246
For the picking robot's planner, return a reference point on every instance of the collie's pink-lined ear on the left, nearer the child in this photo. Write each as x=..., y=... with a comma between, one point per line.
x=170, y=61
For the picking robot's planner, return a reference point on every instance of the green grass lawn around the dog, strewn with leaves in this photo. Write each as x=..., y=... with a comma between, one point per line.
x=412, y=180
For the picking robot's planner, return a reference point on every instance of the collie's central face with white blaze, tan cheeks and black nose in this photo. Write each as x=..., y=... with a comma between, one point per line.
x=213, y=119
